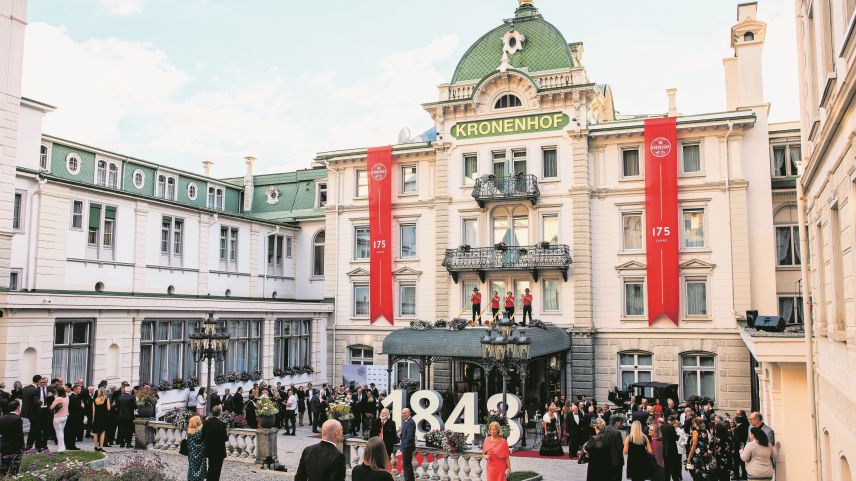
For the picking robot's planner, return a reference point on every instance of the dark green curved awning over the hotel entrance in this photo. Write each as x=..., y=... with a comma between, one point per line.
x=466, y=343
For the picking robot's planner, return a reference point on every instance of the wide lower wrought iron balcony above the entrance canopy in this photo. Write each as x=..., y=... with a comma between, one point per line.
x=501, y=257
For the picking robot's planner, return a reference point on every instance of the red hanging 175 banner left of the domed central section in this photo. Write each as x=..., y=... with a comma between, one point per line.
x=379, y=167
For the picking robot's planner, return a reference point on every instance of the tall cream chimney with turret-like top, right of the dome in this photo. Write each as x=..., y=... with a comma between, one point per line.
x=743, y=72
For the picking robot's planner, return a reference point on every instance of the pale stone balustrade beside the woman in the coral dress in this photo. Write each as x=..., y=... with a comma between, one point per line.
x=435, y=465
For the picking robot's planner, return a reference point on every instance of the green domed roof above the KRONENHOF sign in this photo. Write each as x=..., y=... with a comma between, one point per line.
x=544, y=49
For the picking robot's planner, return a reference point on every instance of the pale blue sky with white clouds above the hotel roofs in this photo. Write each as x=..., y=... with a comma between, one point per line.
x=180, y=82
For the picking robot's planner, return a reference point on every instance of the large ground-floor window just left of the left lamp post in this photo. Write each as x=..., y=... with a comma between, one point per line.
x=164, y=350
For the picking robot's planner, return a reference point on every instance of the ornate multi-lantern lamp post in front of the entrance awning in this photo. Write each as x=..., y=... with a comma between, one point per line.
x=505, y=348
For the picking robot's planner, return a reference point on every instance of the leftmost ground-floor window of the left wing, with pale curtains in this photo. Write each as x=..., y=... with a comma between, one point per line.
x=71, y=349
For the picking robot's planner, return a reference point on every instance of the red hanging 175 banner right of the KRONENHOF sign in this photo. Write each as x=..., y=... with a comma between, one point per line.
x=661, y=218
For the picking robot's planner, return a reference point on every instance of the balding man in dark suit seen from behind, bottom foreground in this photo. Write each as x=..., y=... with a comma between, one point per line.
x=323, y=461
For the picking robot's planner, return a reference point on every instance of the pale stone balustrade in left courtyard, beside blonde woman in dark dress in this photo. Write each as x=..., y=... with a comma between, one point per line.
x=252, y=445
